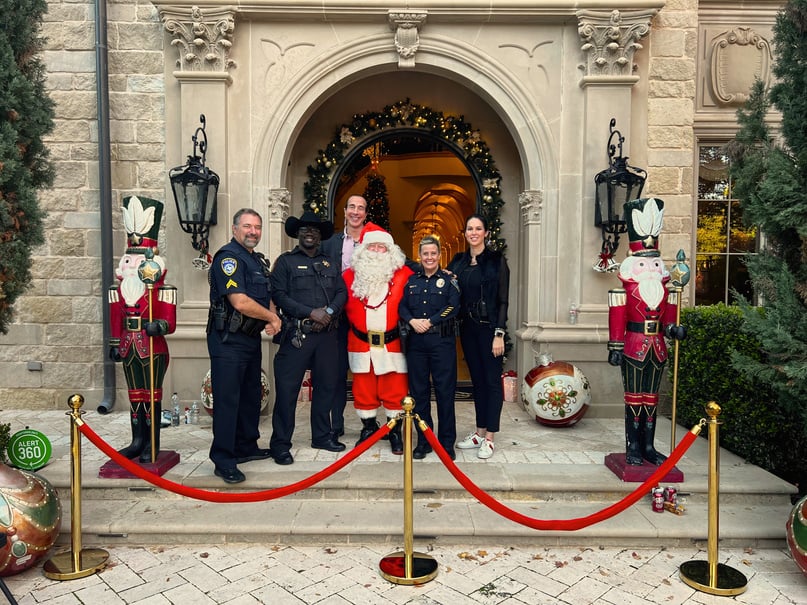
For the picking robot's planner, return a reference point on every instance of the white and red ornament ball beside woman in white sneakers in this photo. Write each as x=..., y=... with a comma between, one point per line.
x=556, y=393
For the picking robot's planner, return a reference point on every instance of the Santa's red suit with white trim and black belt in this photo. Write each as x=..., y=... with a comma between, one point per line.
x=374, y=347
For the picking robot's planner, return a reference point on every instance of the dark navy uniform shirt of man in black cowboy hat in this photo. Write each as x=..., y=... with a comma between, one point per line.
x=302, y=283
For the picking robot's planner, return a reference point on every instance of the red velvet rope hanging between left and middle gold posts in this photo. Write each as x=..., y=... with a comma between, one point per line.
x=212, y=496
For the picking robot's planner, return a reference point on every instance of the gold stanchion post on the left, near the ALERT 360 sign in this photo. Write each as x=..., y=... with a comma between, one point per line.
x=76, y=563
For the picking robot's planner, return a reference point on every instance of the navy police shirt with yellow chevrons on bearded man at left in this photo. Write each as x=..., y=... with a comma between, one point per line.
x=237, y=271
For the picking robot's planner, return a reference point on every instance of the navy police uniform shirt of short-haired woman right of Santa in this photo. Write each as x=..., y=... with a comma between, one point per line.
x=435, y=297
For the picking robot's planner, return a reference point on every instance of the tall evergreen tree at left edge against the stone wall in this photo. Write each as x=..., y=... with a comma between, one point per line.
x=26, y=115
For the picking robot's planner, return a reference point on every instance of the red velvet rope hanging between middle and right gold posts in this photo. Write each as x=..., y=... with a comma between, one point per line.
x=560, y=524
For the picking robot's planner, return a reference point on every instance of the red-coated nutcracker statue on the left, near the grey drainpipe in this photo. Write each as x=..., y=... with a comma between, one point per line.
x=142, y=312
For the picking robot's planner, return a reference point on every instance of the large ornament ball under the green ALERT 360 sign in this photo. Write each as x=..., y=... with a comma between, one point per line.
x=30, y=519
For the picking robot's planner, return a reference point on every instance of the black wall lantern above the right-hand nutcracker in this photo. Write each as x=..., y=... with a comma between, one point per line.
x=617, y=184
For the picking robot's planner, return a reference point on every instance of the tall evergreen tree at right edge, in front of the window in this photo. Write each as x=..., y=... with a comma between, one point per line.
x=771, y=182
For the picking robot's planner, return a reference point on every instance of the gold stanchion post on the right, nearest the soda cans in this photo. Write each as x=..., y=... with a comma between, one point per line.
x=710, y=576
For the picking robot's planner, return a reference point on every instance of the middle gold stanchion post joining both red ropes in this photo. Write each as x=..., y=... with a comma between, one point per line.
x=408, y=567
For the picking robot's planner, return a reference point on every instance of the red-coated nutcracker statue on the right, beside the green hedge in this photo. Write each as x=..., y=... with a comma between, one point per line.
x=641, y=314
